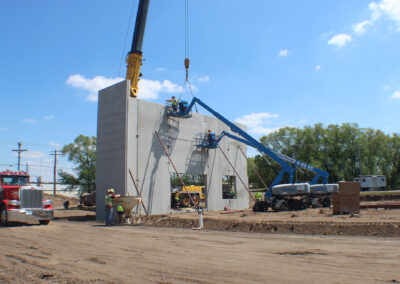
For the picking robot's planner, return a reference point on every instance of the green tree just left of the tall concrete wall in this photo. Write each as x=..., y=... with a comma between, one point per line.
x=83, y=153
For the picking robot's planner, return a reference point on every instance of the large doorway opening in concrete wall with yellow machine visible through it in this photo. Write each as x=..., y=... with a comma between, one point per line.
x=195, y=185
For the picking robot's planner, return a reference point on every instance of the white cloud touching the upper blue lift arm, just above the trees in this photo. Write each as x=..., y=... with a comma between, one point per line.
x=256, y=122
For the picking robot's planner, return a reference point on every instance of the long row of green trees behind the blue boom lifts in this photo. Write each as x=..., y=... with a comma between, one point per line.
x=344, y=151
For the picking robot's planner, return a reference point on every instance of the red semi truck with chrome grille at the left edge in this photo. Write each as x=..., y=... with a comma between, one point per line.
x=21, y=202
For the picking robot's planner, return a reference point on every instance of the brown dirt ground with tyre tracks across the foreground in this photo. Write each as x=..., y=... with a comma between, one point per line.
x=74, y=248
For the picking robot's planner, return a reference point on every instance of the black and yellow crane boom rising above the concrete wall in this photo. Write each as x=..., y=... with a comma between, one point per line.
x=134, y=58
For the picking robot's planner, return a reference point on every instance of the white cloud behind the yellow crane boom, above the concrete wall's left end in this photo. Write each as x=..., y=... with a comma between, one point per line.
x=148, y=89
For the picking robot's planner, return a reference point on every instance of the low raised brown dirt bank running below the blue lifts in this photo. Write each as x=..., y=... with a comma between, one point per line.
x=371, y=222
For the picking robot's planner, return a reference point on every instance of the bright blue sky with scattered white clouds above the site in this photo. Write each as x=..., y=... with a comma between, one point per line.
x=268, y=64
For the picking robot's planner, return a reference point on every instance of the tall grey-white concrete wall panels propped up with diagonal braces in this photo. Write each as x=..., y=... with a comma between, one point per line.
x=146, y=158
